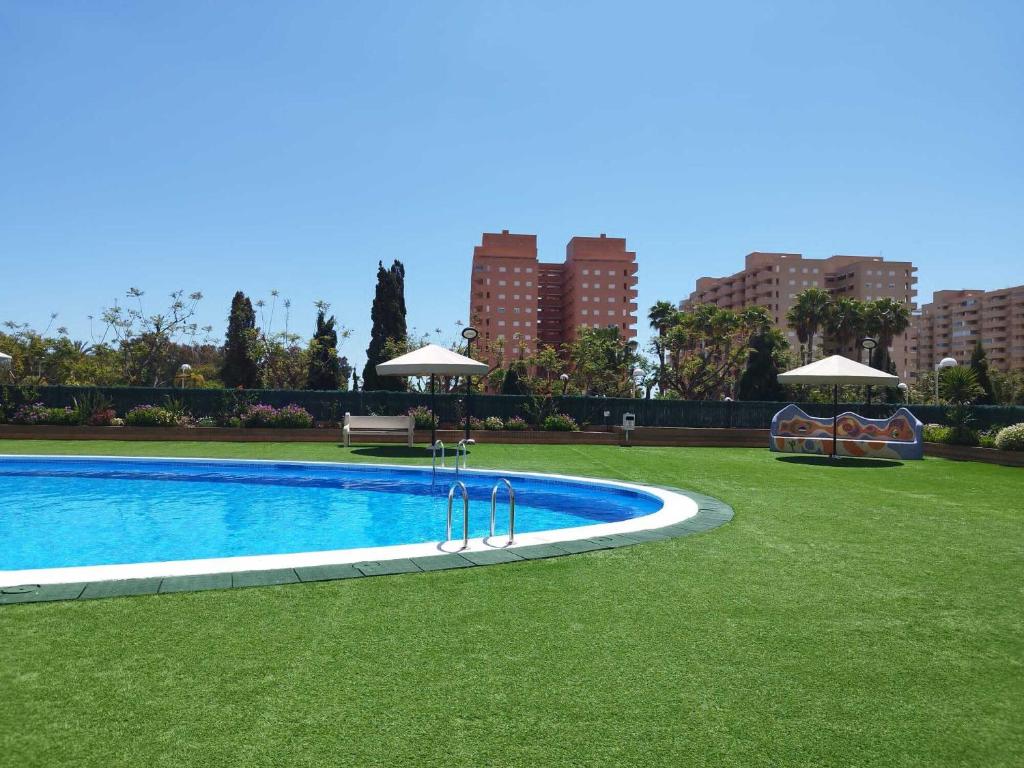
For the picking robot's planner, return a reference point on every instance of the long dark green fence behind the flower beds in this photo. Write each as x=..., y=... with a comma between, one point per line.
x=331, y=406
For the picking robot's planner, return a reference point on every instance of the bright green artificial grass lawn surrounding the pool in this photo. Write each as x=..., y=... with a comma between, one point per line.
x=849, y=616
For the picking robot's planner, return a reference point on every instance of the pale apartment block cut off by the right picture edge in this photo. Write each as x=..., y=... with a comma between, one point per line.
x=954, y=322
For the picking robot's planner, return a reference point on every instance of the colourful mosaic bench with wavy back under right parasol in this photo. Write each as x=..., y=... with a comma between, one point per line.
x=900, y=437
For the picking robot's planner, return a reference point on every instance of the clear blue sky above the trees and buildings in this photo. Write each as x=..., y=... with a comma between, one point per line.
x=254, y=146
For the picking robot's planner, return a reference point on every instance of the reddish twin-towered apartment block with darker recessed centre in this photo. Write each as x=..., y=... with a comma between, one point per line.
x=518, y=302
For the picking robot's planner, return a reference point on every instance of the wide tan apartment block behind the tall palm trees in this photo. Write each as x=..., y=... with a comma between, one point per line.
x=775, y=280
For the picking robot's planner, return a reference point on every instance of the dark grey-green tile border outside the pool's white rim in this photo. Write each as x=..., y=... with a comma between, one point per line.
x=711, y=515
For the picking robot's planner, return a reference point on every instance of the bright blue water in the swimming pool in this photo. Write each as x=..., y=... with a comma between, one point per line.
x=60, y=513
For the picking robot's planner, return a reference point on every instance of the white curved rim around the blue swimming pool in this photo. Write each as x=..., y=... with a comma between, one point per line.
x=676, y=508
